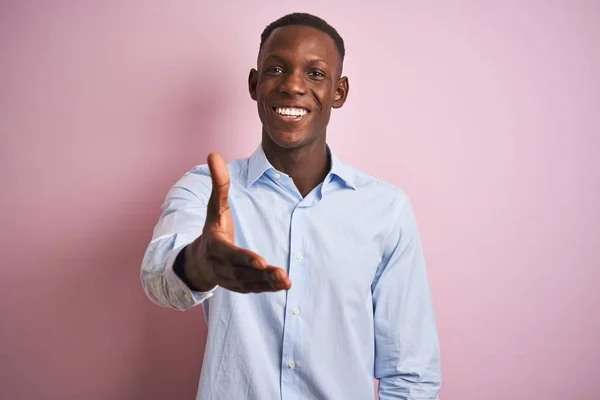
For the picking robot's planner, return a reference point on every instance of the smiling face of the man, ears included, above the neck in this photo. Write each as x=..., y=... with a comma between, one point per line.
x=296, y=84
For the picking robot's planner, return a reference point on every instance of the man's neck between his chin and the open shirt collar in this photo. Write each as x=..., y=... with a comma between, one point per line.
x=307, y=166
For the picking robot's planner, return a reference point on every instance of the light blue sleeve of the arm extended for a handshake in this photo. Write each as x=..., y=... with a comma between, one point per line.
x=180, y=223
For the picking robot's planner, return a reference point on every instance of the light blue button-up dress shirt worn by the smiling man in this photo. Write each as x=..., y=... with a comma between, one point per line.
x=359, y=307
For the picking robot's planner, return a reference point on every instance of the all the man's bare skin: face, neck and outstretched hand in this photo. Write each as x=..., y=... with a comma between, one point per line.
x=297, y=66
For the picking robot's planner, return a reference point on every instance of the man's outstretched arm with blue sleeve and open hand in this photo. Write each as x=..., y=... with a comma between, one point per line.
x=193, y=245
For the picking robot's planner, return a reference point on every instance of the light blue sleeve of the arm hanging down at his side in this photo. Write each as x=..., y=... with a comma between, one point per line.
x=407, y=354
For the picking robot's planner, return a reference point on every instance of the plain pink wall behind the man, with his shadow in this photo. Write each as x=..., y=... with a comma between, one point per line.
x=486, y=112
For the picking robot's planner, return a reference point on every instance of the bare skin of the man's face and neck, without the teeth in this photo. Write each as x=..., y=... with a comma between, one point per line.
x=298, y=65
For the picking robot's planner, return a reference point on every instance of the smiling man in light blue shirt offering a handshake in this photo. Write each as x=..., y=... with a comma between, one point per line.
x=310, y=272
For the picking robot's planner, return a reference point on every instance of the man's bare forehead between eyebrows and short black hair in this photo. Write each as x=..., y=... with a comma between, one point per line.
x=298, y=41
